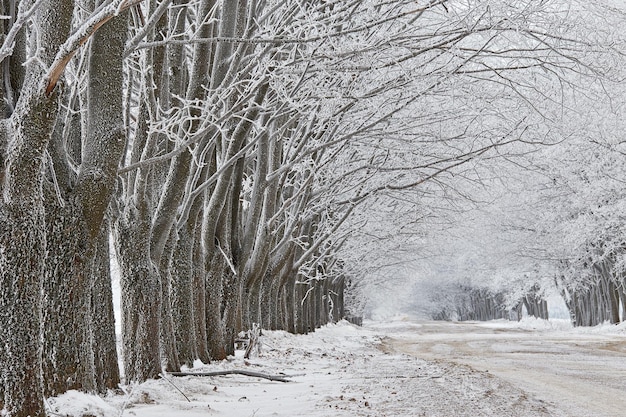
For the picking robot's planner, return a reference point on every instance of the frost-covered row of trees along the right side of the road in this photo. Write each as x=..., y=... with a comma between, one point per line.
x=553, y=219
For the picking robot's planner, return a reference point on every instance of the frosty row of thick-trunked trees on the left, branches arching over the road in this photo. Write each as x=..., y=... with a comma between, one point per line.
x=234, y=153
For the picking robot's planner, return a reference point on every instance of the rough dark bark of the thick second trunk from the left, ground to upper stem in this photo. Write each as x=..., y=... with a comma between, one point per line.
x=74, y=225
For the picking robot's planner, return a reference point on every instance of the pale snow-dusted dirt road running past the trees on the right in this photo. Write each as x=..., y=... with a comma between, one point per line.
x=576, y=373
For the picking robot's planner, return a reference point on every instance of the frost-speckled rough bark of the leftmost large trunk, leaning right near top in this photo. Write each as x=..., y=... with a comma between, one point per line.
x=22, y=236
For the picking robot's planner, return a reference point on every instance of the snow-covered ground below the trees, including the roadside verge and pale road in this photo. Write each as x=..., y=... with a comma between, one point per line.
x=398, y=368
